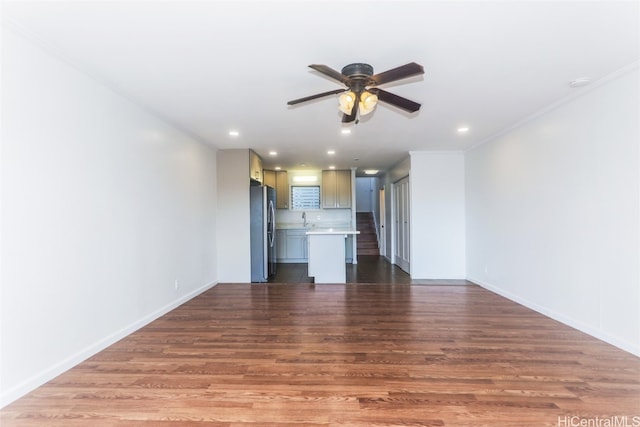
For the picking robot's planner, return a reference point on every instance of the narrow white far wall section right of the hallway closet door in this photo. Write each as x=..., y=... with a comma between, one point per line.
x=437, y=215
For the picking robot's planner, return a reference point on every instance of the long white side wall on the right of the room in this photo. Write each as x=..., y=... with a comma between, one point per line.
x=553, y=213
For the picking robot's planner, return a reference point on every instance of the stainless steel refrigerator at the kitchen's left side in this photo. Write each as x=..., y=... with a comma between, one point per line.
x=263, y=233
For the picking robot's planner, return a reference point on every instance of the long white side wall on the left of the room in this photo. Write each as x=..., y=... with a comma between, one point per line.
x=103, y=207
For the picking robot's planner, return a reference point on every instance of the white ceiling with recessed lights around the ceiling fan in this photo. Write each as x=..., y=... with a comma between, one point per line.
x=212, y=66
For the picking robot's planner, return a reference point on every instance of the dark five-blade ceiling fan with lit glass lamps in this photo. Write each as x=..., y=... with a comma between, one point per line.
x=361, y=94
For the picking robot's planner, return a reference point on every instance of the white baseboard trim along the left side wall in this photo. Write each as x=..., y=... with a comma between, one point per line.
x=14, y=393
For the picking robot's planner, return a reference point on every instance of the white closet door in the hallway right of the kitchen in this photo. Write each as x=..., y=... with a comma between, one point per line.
x=402, y=223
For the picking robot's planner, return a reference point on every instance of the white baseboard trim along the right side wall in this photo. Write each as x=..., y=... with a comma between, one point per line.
x=594, y=332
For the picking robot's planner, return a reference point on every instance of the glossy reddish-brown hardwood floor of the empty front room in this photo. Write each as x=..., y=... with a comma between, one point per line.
x=309, y=355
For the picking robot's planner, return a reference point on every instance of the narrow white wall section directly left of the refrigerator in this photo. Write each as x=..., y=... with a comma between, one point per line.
x=234, y=237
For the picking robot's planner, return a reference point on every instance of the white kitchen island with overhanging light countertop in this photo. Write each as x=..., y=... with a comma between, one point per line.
x=327, y=254
